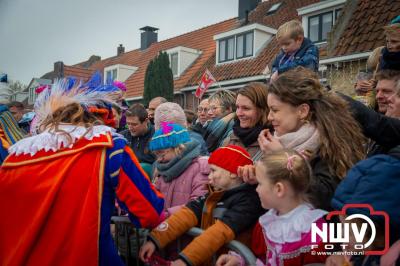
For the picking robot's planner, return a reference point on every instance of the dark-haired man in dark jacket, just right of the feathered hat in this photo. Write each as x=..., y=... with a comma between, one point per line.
x=139, y=133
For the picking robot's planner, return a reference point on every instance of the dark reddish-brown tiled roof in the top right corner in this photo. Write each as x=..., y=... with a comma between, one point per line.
x=364, y=31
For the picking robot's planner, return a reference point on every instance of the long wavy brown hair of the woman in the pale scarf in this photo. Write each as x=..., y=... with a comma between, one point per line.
x=341, y=137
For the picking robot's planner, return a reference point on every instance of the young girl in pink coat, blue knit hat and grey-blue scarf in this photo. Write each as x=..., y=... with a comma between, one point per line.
x=181, y=174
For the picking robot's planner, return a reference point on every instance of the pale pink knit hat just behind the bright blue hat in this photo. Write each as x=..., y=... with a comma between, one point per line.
x=169, y=112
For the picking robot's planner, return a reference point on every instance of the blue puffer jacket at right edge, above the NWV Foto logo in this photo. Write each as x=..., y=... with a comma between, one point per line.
x=375, y=181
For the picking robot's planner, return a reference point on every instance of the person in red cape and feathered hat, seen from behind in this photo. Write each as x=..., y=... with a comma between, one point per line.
x=58, y=187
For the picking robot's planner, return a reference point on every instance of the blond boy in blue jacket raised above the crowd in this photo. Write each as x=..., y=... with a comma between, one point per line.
x=296, y=49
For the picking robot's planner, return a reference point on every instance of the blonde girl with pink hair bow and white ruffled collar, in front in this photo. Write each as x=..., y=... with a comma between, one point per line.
x=283, y=235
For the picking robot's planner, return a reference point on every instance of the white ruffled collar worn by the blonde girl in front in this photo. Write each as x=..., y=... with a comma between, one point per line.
x=288, y=228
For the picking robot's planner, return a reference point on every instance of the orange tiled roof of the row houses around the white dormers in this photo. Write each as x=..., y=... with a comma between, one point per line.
x=202, y=39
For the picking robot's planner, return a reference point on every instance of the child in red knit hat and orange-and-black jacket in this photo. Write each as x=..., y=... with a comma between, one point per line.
x=227, y=212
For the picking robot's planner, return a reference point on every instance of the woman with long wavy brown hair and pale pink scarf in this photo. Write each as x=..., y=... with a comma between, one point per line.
x=318, y=123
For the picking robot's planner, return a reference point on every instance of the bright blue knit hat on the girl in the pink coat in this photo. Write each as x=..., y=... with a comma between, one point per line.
x=170, y=135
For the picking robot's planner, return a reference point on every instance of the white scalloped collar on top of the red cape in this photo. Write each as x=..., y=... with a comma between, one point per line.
x=49, y=140
